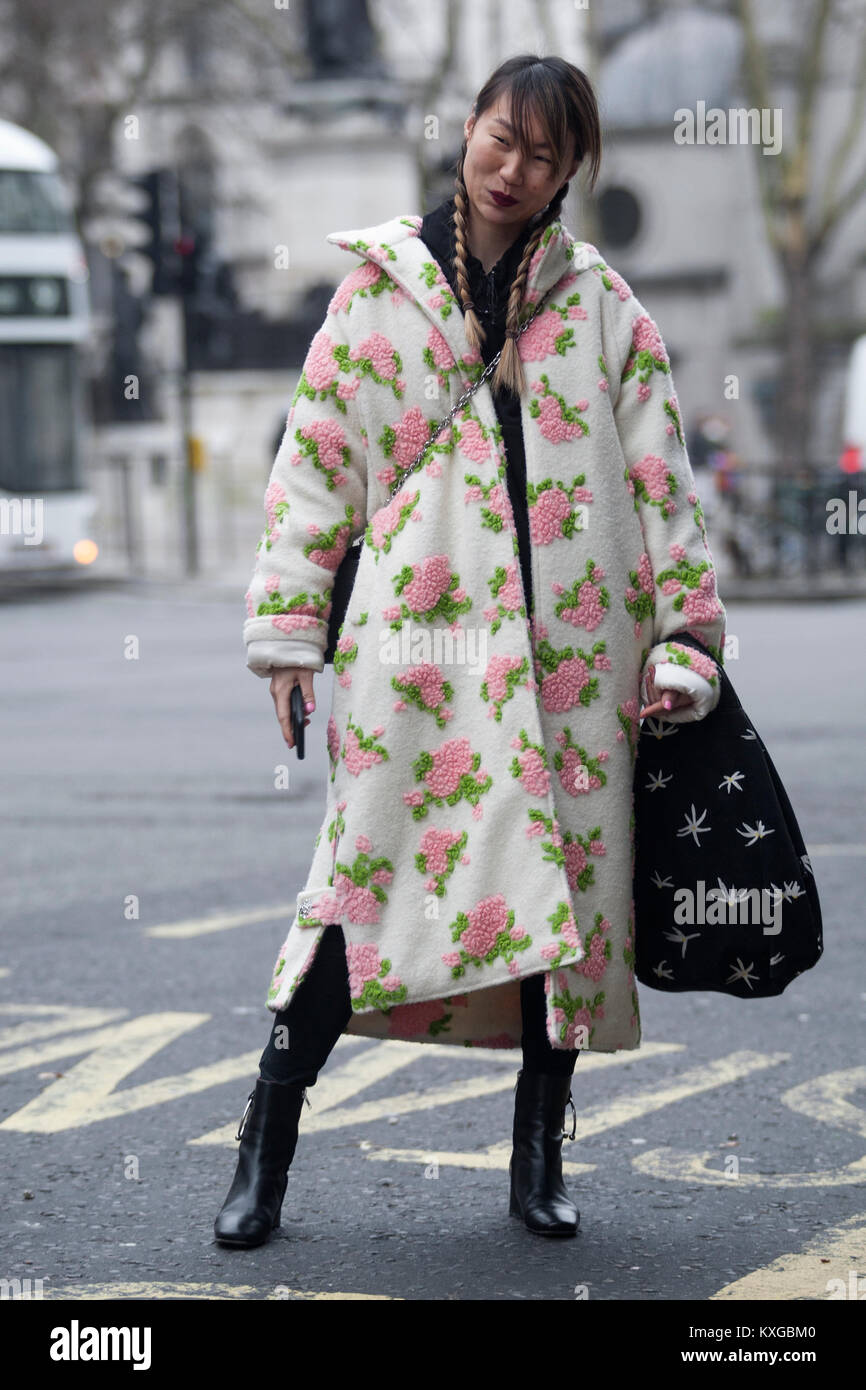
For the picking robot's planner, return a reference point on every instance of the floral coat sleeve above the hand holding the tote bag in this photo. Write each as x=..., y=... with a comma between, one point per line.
x=661, y=482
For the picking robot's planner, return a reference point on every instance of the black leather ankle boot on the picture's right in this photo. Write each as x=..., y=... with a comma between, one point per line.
x=539, y=1193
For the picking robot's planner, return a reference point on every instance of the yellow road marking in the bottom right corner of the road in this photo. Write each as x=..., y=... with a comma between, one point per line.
x=824, y=1271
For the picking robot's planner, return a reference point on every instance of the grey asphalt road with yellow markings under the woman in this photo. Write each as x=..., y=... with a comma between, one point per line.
x=721, y=1161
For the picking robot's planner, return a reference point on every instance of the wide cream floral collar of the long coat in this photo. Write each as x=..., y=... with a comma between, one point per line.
x=397, y=247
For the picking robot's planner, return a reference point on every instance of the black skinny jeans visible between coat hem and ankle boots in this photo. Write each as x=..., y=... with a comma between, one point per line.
x=320, y=1008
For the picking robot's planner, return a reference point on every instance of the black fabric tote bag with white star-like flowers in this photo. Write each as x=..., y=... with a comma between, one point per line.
x=724, y=888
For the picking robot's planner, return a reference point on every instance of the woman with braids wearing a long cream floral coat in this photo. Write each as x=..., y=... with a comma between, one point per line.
x=472, y=879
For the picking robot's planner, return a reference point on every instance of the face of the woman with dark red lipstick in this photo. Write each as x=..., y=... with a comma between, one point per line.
x=494, y=165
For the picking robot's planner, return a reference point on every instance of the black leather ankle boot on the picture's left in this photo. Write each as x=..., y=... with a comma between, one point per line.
x=269, y=1135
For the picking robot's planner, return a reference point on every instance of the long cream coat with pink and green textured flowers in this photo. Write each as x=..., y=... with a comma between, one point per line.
x=479, y=822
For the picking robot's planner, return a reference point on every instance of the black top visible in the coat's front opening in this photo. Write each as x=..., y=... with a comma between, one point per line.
x=490, y=294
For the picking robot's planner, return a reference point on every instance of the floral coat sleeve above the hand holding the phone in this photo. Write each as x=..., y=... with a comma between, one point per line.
x=315, y=507
